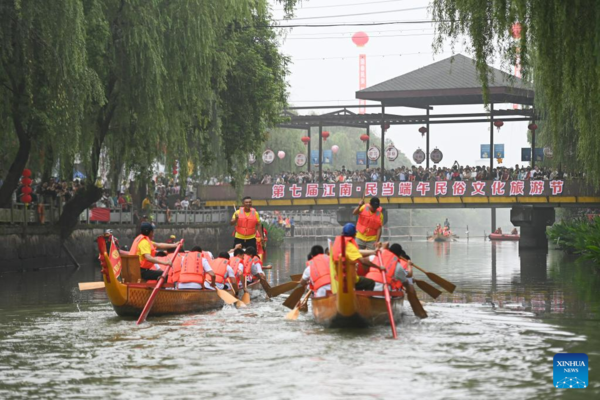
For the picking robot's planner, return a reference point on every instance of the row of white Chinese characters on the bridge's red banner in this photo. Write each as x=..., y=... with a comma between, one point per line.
x=420, y=189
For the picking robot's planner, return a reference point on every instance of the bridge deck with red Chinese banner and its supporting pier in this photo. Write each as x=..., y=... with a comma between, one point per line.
x=532, y=203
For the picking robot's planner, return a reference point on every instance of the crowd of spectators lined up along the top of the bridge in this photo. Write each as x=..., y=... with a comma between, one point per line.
x=413, y=173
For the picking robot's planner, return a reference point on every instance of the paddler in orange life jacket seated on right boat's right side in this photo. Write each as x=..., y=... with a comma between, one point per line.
x=398, y=270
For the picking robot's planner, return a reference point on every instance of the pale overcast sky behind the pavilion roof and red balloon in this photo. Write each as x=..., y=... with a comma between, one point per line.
x=324, y=71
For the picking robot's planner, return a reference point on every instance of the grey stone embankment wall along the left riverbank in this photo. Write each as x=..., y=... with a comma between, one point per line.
x=40, y=247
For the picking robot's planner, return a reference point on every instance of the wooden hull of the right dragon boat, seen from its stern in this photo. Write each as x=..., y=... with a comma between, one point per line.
x=350, y=308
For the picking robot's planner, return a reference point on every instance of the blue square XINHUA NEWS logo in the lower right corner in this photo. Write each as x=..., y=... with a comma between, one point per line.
x=570, y=371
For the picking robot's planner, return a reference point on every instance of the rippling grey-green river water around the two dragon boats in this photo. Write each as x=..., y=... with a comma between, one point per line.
x=494, y=338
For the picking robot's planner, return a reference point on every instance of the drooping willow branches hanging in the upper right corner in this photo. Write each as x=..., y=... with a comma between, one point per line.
x=559, y=51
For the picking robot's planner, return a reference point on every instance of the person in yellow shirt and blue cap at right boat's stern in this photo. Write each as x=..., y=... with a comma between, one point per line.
x=353, y=254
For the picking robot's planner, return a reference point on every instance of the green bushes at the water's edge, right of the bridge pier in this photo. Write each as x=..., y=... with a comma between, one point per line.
x=579, y=236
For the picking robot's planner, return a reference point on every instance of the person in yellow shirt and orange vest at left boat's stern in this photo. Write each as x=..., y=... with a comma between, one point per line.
x=145, y=249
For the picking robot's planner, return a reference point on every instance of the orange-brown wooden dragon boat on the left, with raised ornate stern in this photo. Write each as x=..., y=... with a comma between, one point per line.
x=129, y=294
